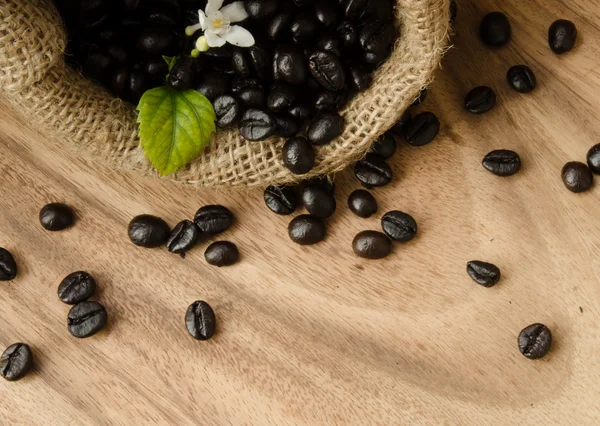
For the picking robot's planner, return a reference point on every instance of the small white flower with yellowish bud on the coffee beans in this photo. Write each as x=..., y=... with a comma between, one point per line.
x=216, y=24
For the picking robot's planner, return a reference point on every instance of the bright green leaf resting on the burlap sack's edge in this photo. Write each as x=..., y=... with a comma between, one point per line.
x=175, y=126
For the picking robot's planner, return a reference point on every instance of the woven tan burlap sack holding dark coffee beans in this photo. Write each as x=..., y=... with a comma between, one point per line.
x=84, y=117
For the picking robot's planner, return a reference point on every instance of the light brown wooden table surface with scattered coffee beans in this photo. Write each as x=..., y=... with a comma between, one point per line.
x=315, y=335
